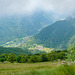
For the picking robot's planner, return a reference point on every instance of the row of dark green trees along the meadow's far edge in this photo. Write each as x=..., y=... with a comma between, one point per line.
x=53, y=56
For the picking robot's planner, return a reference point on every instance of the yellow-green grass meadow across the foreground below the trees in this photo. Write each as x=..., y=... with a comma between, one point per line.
x=44, y=68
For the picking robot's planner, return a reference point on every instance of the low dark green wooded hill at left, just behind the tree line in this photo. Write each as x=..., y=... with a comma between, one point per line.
x=15, y=50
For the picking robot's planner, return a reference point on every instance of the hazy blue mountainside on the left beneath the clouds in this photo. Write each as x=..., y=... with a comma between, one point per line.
x=17, y=26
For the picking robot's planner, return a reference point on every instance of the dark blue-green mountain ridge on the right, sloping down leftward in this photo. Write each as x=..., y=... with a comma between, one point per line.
x=59, y=35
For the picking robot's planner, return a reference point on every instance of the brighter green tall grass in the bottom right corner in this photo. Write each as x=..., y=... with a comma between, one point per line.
x=60, y=70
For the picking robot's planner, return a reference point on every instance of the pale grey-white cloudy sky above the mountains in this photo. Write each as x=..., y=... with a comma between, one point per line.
x=66, y=7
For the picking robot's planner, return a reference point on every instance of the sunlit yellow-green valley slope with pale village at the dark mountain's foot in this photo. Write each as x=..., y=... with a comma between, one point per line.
x=32, y=46
